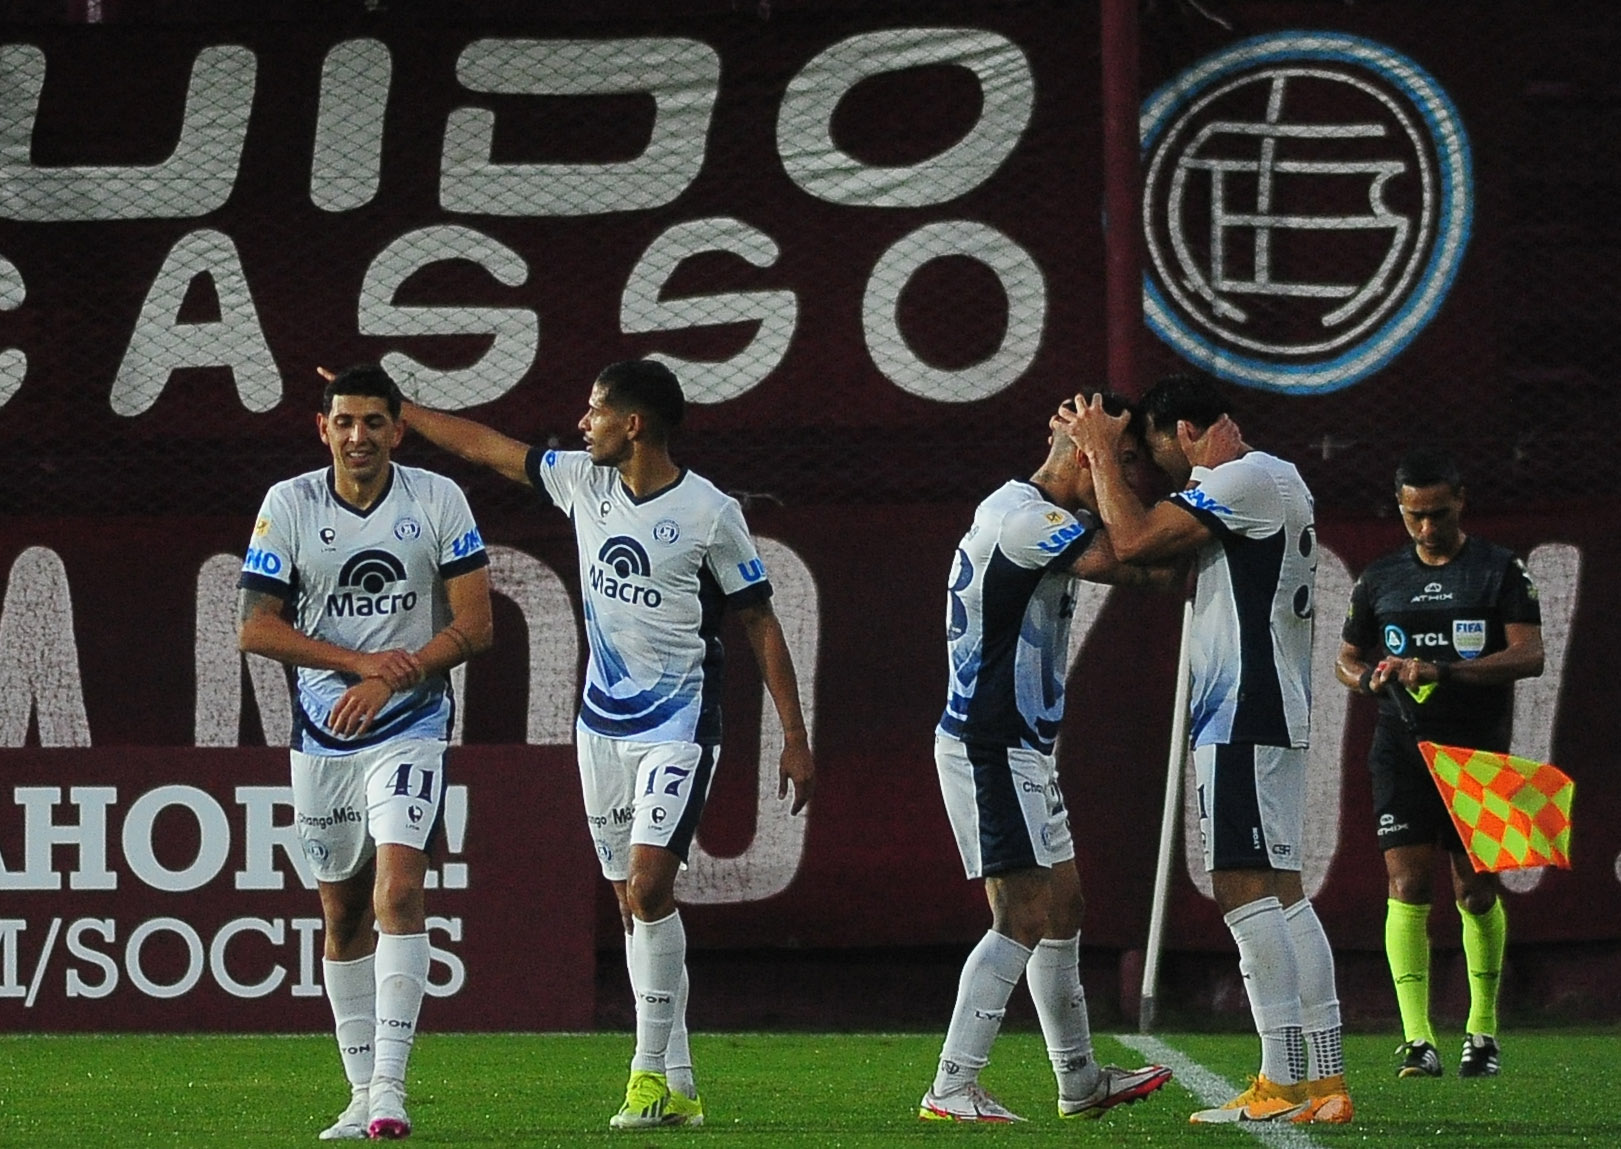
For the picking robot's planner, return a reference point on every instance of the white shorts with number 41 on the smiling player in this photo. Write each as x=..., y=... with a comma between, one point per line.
x=344, y=806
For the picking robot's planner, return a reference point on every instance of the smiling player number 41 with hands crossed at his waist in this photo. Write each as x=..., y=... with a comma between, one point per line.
x=372, y=579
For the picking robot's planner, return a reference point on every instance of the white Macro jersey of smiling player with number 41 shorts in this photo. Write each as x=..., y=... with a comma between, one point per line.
x=366, y=581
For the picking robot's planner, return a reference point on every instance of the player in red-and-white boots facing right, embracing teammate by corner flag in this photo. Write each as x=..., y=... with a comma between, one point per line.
x=1009, y=605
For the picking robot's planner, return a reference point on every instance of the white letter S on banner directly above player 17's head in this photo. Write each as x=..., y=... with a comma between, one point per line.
x=646, y=310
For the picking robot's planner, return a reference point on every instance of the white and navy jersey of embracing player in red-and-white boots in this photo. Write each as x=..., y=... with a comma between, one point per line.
x=1007, y=620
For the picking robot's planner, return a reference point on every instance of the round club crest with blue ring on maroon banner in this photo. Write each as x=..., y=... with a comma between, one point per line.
x=1307, y=205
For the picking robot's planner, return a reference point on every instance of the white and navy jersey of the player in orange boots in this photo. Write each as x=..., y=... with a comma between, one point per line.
x=1252, y=612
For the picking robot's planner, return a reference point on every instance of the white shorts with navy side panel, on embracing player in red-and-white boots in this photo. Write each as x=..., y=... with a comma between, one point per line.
x=1006, y=806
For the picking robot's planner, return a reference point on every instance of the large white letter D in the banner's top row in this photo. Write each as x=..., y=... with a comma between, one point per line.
x=683, y=77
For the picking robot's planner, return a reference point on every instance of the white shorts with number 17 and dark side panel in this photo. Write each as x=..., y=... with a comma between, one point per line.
x=643, y=795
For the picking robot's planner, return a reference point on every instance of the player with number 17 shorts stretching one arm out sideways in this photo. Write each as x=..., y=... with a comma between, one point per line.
x=662, y=555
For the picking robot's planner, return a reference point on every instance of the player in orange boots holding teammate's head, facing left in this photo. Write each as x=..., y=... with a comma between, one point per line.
x=1247, y=519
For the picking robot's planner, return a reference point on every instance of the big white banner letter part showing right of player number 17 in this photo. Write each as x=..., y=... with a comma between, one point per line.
x=772, y=860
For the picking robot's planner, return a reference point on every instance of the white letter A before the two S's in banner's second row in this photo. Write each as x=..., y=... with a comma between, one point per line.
x=163, y=344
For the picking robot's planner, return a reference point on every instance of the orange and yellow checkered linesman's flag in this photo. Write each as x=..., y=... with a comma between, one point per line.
x=1512, y=813
